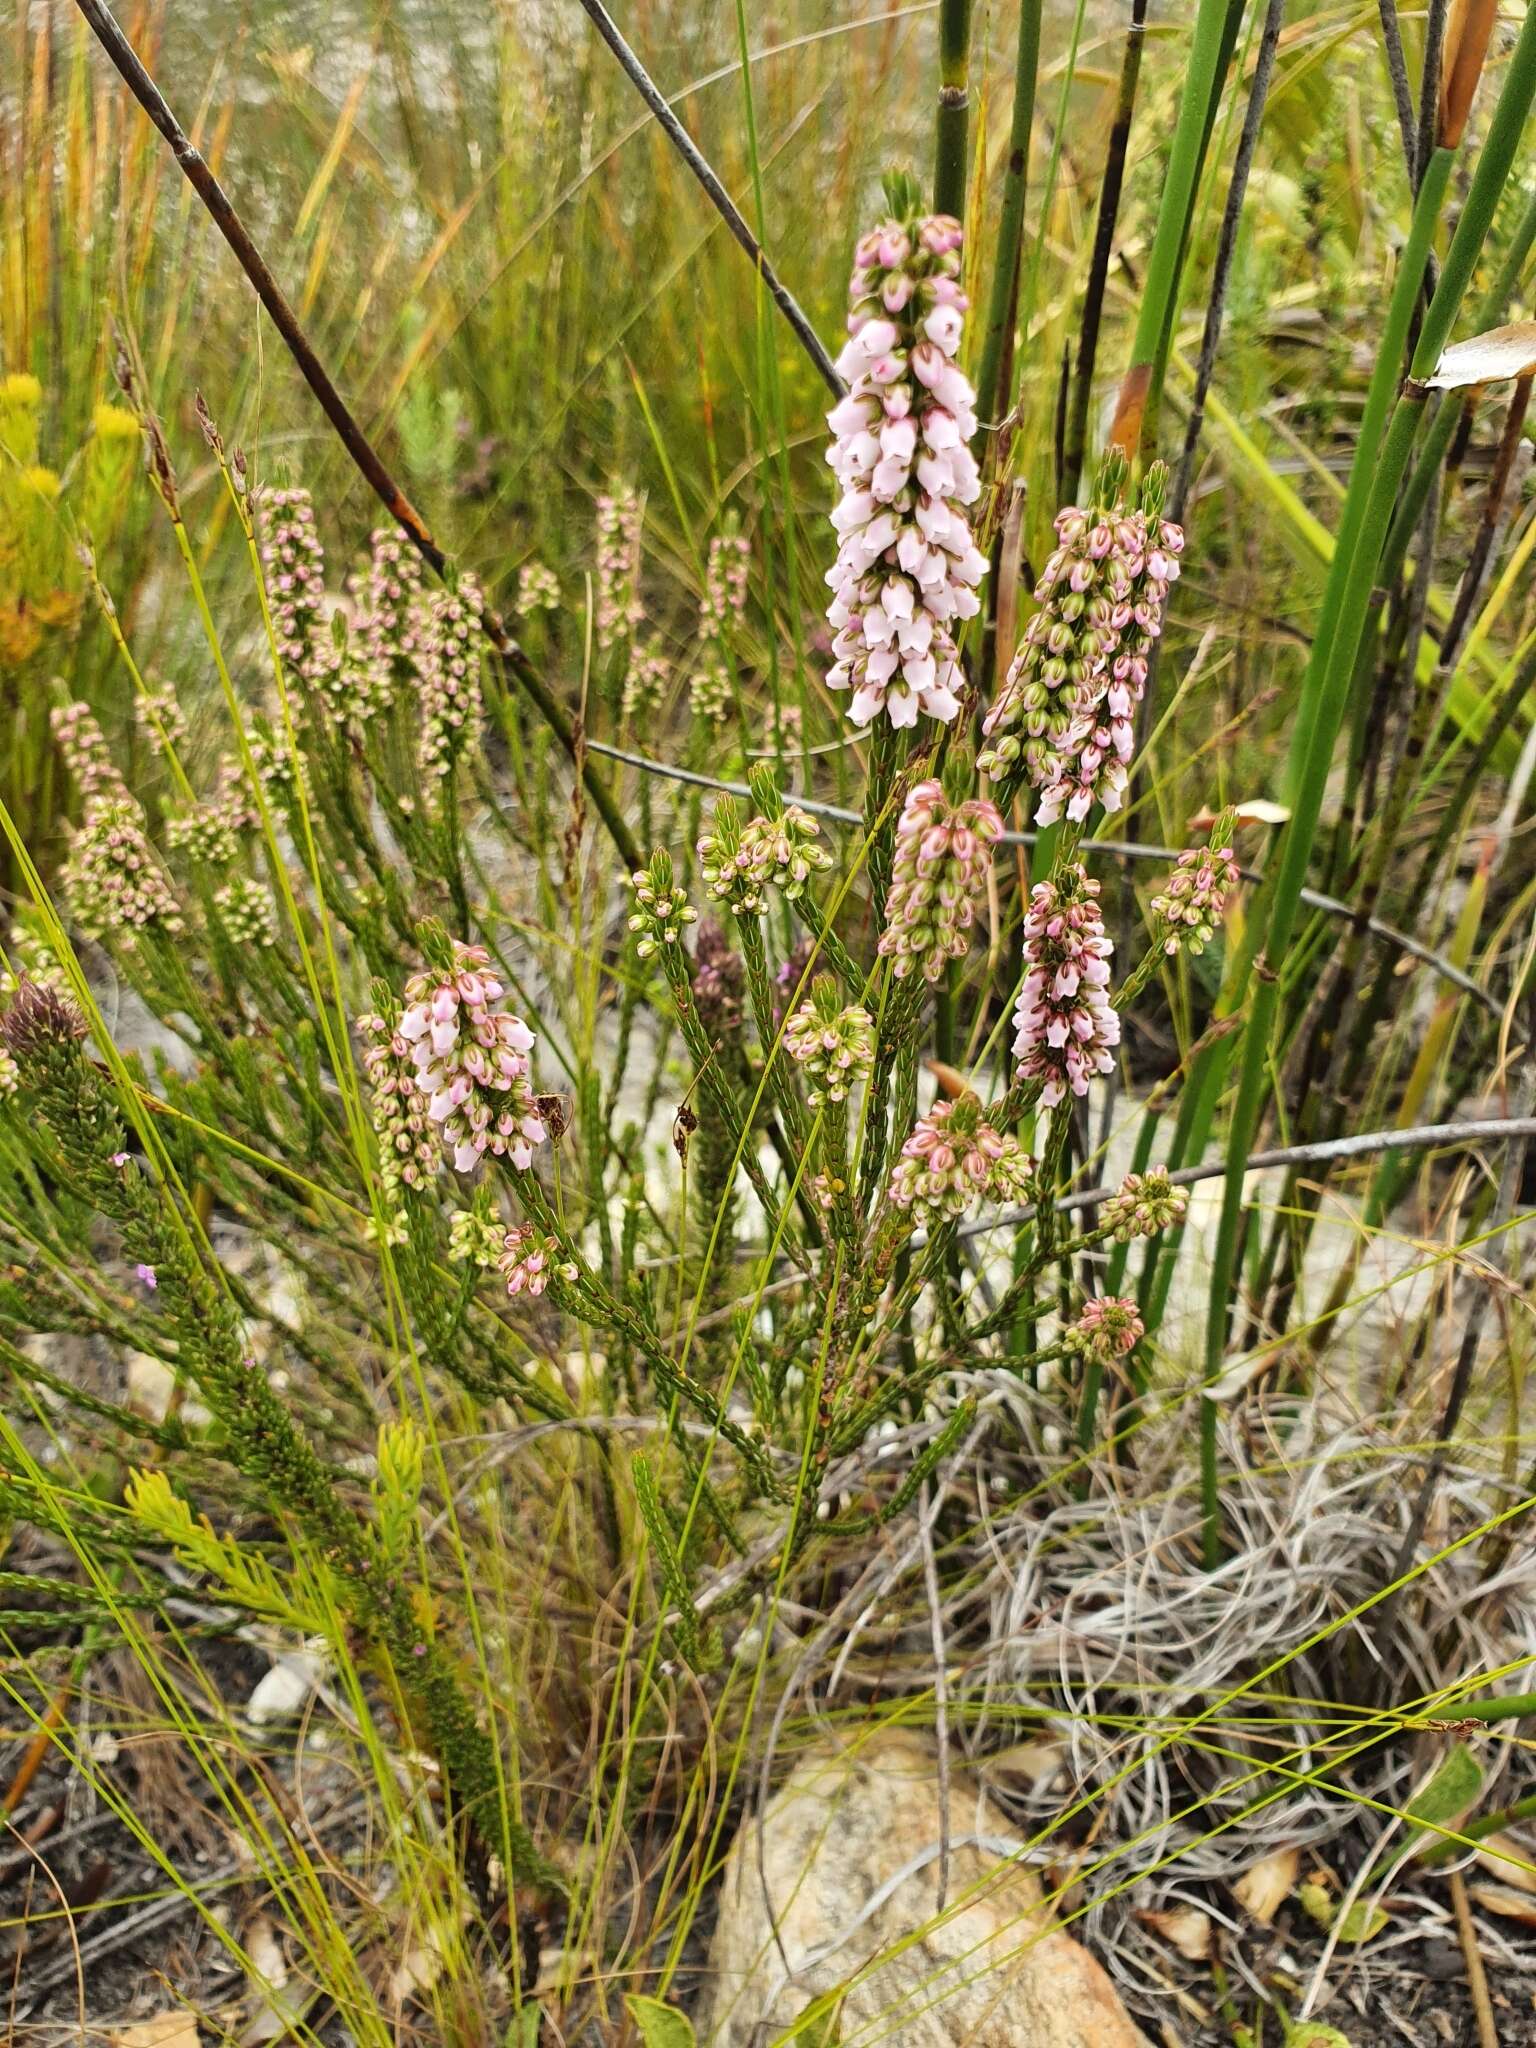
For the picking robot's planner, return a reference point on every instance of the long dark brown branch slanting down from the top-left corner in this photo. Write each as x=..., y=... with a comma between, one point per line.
x=513, y=660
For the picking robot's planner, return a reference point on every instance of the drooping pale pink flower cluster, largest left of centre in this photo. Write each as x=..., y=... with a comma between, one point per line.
x=472, y=1062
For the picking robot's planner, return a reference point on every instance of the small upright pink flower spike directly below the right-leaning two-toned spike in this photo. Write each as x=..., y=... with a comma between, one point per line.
x=1064, y=1025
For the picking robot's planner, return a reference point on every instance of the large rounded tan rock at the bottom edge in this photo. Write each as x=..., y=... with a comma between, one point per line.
x=851, y=1857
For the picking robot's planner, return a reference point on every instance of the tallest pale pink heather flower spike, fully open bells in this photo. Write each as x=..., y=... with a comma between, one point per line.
x=906, y=562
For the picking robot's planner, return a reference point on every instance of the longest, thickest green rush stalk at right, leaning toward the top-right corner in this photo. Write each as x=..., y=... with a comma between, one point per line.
x=1326, y=685
